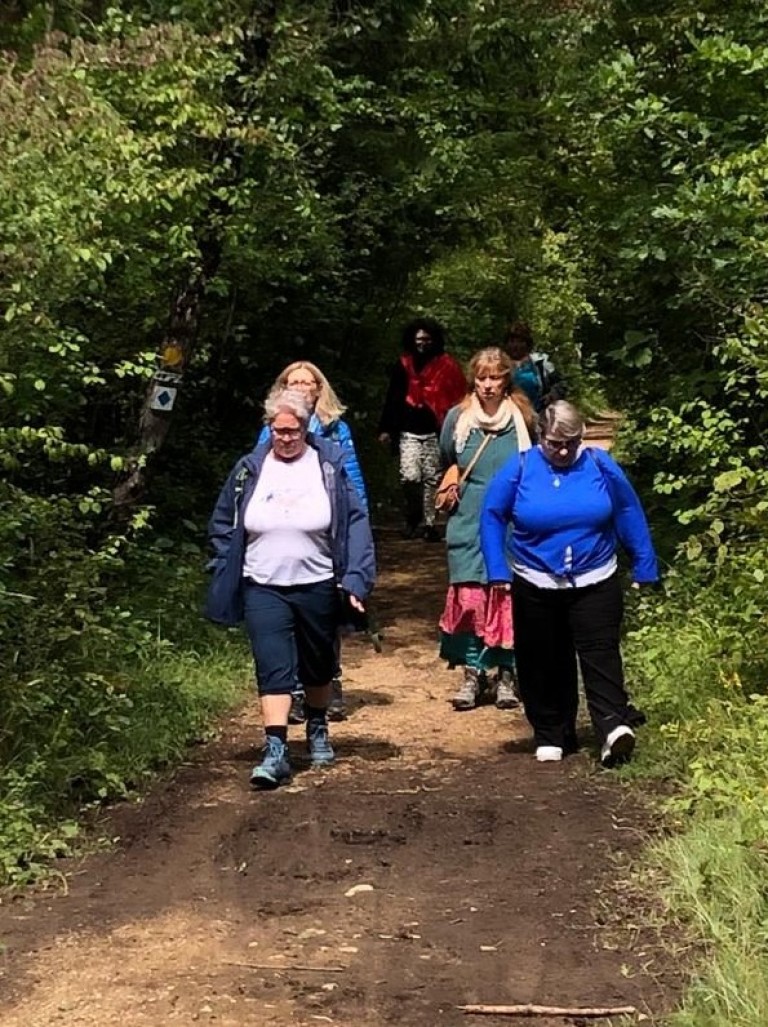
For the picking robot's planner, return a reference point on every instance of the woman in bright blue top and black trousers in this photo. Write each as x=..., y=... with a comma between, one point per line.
x=570, y=508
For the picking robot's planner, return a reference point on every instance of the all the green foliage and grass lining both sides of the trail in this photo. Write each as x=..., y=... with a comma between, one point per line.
x=313, y=174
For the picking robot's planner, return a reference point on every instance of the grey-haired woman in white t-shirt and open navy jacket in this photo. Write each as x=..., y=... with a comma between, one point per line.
x=293, y=550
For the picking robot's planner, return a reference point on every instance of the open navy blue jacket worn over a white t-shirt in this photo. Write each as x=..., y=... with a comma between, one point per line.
x=352, y=542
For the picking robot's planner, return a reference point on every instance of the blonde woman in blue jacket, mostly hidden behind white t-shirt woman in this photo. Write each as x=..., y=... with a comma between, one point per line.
x=327, y=424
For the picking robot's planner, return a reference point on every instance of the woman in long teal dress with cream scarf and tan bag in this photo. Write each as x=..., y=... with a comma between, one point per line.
x=477, y=624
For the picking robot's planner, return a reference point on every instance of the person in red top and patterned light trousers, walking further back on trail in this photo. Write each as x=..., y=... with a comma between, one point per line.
x=425, y=385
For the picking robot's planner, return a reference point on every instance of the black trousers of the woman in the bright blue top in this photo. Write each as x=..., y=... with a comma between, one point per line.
x=552, y=625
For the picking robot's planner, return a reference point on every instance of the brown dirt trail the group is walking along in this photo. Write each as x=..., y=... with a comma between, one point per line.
x=490, y=879
